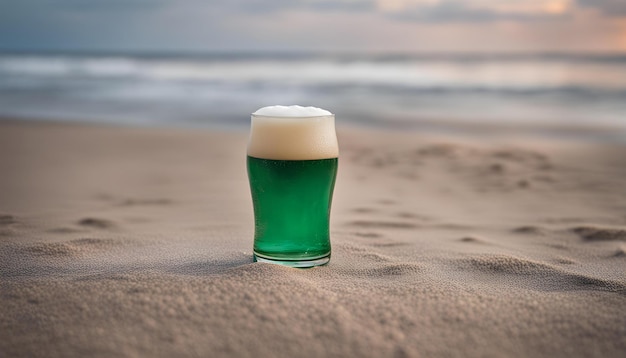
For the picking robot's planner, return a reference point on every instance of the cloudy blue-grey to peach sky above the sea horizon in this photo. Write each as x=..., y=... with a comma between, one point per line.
x=483, y=26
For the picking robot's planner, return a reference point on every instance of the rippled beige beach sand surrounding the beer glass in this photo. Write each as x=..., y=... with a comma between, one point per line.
x=132, y=242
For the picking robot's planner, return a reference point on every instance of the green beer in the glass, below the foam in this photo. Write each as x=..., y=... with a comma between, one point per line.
x=292, y=201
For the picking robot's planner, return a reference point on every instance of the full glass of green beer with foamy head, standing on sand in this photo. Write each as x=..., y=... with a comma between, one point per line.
x=292, y=166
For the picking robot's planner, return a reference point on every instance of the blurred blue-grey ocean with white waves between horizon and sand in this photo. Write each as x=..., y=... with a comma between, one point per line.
x=384, y=90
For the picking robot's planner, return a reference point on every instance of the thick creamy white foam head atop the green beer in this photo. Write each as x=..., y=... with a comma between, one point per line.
x=293, y=133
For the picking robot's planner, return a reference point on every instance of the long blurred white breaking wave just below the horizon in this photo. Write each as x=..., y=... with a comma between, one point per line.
x=488, y=75
